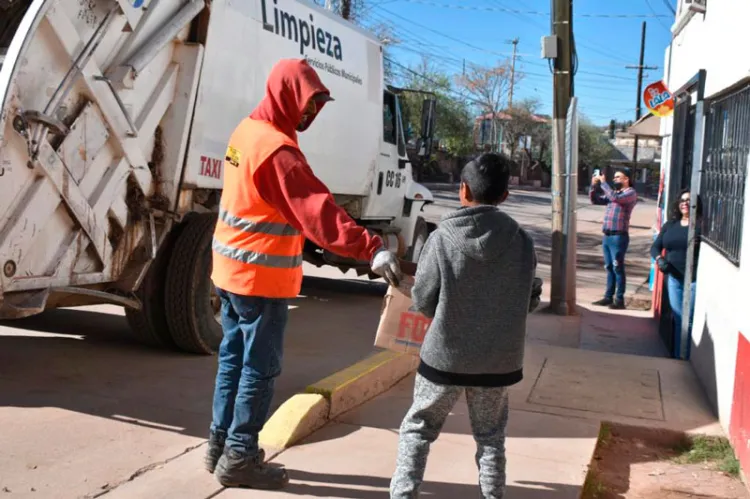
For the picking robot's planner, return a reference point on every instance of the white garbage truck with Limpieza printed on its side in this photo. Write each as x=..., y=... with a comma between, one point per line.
x=113, y=130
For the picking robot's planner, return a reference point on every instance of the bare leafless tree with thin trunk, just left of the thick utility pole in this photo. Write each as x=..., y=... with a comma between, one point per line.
x=487, y=89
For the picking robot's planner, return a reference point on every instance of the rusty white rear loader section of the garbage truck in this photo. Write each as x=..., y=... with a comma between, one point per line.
x=97, y=99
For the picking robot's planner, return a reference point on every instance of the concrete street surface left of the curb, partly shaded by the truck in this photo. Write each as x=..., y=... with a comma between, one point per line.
x=84, y=407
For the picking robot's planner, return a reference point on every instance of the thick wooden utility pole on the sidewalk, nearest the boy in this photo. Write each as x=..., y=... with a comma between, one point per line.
x=562, y=291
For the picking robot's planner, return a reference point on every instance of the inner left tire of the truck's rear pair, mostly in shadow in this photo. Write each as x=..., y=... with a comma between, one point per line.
x=149, y=324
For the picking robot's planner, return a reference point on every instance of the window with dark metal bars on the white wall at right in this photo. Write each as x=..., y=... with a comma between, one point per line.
x=727, y=145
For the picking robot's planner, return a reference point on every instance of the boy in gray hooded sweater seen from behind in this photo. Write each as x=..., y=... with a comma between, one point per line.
x=474, y=279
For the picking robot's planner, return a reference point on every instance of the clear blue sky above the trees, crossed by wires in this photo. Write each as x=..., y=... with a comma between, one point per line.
x=448, y=34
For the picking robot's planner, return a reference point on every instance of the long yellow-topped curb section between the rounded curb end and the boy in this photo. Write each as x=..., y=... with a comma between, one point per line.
x=364, y=380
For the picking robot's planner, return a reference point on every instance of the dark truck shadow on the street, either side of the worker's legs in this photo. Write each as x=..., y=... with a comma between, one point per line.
x=86, y=360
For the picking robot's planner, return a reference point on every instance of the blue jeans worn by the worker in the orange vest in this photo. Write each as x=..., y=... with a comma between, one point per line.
x=250, y=358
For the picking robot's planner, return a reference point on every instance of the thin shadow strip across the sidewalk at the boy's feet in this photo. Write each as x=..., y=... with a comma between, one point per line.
x=349, y=486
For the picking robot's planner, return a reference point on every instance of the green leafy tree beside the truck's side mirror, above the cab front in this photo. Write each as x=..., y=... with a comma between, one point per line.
x=455, y=125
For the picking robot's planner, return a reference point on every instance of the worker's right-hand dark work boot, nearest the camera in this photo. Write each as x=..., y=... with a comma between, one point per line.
x=238, y=470
